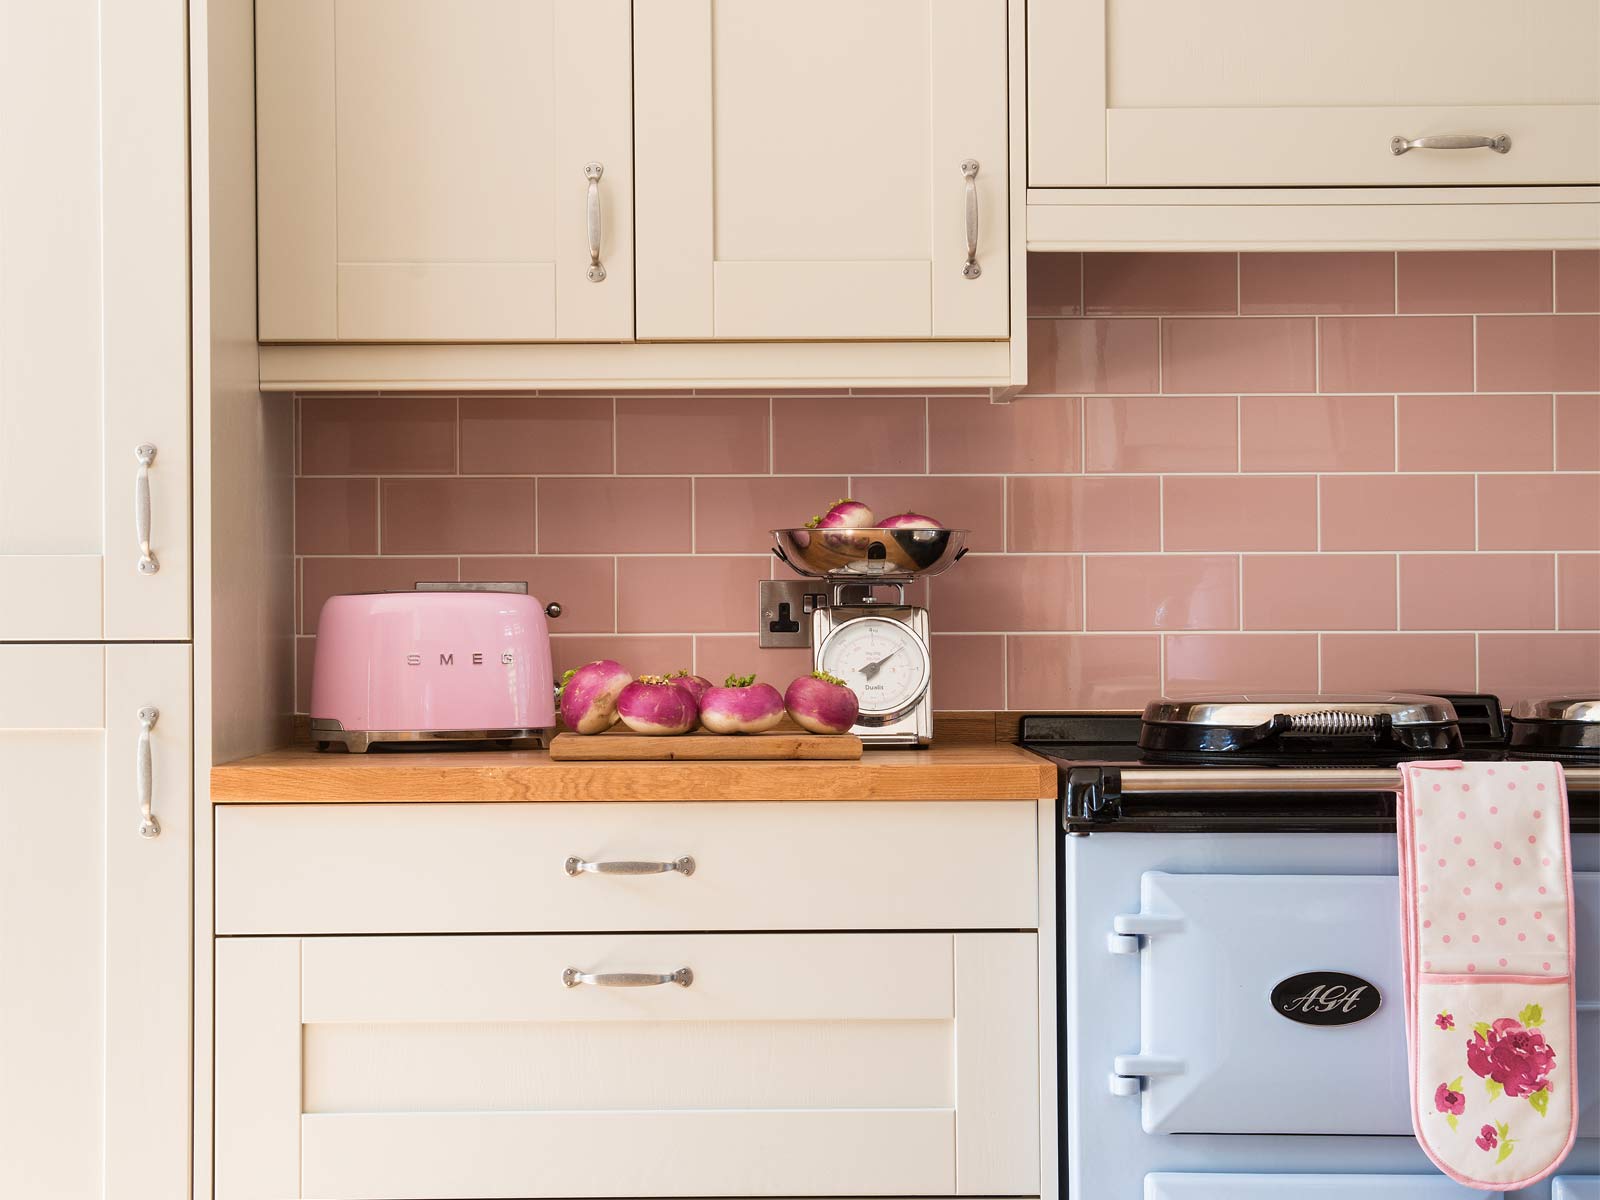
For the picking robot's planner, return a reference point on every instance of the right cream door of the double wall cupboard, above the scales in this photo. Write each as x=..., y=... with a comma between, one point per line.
x=801, y=169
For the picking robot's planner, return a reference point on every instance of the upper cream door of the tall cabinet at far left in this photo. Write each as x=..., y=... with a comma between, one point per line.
x=94, y=321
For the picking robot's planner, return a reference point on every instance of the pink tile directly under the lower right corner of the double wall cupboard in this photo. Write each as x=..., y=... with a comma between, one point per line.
x=1031, y=434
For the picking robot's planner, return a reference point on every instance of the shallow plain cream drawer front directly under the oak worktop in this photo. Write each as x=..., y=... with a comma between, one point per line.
x=503, y=868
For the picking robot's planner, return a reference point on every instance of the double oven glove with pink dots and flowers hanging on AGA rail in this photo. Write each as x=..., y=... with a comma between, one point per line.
x=1487, y=942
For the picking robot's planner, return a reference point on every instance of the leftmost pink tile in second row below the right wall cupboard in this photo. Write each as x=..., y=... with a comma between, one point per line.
x=1074, y=358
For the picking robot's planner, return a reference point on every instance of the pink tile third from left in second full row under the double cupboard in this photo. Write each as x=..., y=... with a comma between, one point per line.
x=615, y=516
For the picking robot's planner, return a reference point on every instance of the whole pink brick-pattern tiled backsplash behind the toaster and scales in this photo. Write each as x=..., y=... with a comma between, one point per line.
x=1226, y=471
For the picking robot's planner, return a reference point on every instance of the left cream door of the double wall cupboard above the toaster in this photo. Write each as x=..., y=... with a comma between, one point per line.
x=423, y=170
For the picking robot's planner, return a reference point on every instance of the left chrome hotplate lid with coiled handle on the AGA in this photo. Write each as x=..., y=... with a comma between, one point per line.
x=1300, y=730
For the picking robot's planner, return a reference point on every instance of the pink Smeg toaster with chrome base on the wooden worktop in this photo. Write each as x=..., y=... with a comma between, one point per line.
x=446, y=663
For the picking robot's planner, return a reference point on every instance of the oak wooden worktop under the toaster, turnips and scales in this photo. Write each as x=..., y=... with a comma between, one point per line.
x=302, y=775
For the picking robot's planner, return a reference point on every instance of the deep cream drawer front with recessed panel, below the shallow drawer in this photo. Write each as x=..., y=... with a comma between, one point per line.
x=791, y=1065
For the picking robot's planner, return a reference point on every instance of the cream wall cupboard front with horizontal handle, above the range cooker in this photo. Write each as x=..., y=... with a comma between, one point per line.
x=1143, y=94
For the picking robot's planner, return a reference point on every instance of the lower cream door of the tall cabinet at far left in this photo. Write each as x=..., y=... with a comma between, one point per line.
x=95, y=922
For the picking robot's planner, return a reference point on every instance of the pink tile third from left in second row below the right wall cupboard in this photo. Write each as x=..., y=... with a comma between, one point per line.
x=1396, y=354
